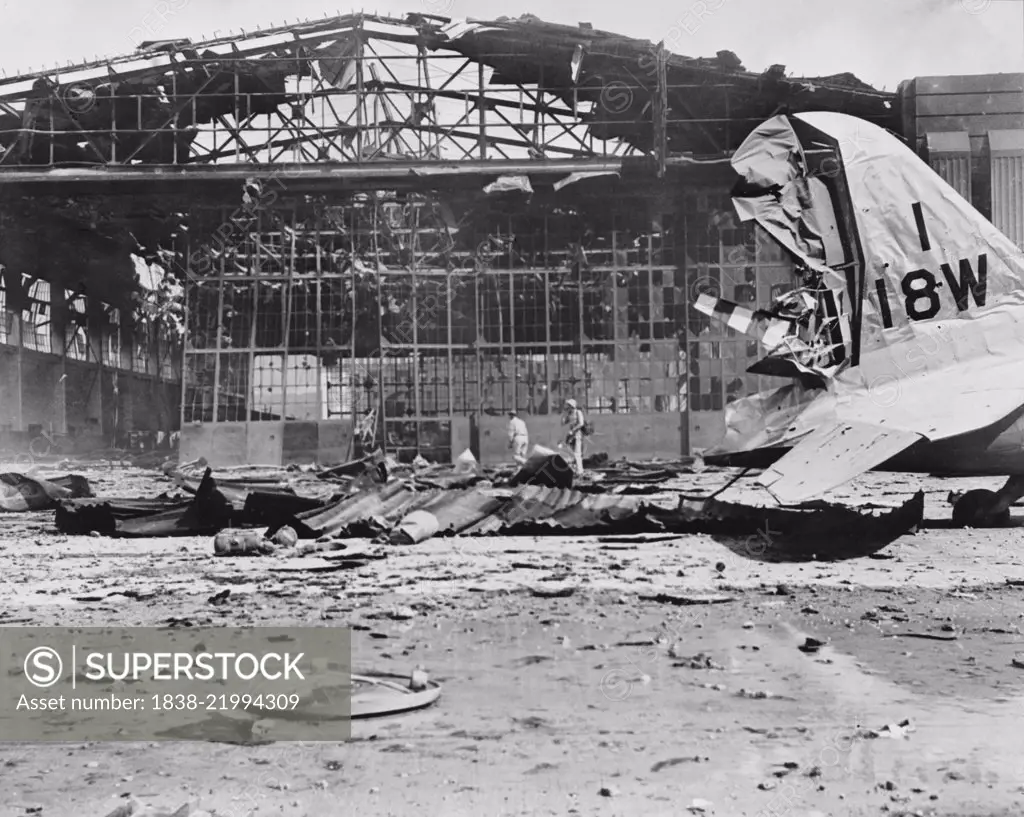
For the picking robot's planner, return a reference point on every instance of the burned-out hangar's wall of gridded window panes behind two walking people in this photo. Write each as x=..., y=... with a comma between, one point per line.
x=290, y=349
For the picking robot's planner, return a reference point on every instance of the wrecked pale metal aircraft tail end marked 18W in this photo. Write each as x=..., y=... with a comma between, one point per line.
x=906, y=343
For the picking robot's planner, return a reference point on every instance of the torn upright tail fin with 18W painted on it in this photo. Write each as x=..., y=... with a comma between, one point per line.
x=914, y=277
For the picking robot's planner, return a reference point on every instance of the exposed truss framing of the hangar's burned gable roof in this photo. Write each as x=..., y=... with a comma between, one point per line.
x=361, y=90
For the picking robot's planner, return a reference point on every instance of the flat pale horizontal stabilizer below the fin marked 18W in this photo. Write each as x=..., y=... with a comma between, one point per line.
x=830, y=456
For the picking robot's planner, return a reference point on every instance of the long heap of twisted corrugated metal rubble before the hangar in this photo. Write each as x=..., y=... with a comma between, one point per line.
x=376, y=498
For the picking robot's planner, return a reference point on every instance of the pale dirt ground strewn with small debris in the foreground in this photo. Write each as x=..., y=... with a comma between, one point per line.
x=588, y=703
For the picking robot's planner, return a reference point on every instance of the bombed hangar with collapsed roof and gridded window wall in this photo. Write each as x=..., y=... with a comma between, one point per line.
x=390, y=233
